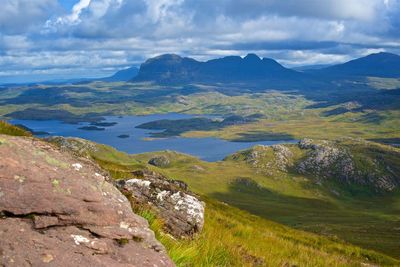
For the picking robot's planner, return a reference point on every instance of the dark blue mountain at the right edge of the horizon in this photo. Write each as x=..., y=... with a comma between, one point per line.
x=382, y=64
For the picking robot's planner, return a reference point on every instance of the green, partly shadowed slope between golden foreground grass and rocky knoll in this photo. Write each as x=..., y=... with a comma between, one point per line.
x=368, y=221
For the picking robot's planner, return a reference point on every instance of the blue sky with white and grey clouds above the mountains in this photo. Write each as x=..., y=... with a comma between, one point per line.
x=53, y=39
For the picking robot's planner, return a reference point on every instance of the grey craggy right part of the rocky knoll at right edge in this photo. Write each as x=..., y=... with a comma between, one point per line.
x=352, y=161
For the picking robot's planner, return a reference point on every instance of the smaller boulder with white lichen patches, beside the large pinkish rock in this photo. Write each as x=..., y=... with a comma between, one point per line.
x=181, y=211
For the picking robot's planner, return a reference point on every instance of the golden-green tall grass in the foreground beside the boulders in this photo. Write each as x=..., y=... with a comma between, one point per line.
x=232, y=237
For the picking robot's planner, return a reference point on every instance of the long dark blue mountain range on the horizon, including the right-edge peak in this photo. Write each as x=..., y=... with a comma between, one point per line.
x=171, y=69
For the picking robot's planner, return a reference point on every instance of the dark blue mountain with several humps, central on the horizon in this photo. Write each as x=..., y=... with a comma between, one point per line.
x=170, y=68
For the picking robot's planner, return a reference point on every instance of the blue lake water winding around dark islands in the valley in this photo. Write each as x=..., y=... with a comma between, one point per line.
x=209, y=148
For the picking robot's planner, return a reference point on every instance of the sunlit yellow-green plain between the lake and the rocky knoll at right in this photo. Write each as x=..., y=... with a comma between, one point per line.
x=312, y=125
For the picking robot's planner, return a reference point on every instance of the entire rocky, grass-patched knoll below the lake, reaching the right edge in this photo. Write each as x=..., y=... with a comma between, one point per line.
x=346, y=161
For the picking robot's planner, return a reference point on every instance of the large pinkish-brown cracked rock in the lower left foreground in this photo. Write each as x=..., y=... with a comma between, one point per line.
x=58, y=210
